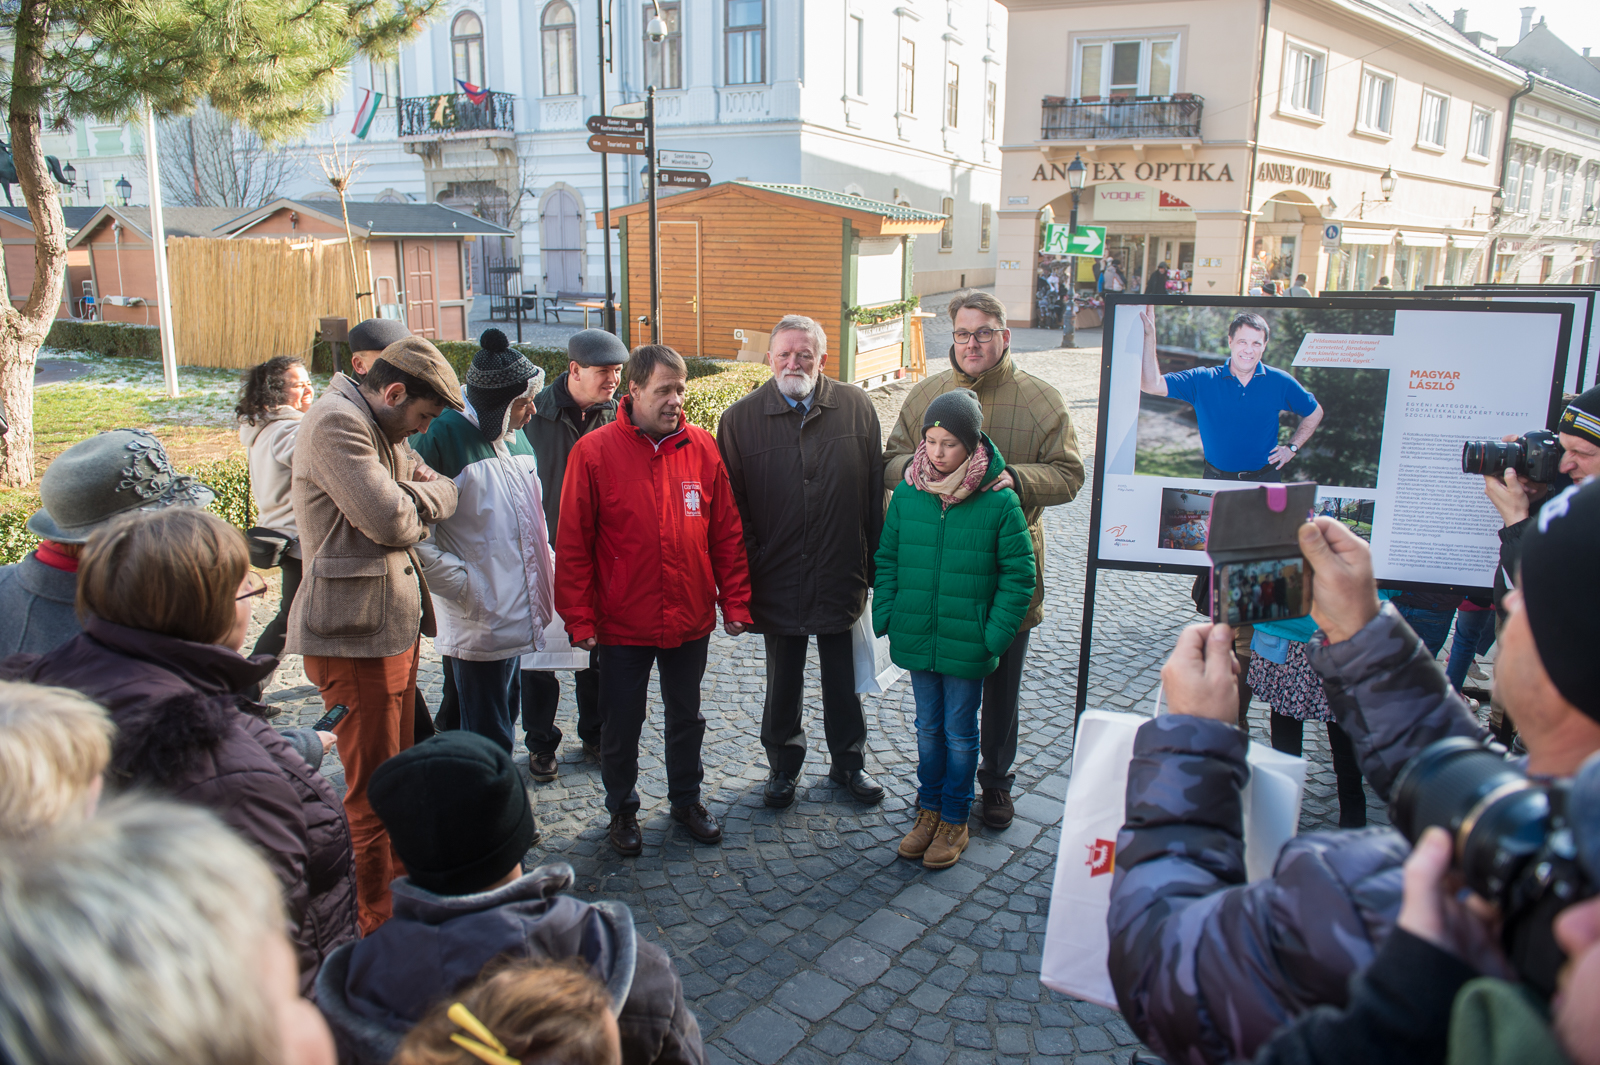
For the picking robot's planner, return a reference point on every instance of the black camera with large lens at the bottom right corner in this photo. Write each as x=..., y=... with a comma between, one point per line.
x=1514, y=844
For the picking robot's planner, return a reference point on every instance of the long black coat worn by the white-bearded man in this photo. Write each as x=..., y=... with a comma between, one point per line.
x=810, y=493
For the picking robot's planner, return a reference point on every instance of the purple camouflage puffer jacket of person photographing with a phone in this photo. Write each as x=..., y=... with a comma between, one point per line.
x=1207, y=967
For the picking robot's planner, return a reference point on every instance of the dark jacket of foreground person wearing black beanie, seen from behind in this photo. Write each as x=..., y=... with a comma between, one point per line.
x=375, y=991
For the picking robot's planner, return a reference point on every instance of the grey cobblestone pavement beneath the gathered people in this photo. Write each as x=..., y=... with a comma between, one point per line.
x=804, y=938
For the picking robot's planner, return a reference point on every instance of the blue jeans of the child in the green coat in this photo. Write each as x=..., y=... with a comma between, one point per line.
x=946, y=743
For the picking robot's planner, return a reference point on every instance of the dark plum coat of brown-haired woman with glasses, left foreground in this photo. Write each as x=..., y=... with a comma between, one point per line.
x=183, y=728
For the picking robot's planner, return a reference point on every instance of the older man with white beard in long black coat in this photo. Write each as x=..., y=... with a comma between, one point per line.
x=804, y=458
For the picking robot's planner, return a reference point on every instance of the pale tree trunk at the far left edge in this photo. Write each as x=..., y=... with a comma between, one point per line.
x=23, y=332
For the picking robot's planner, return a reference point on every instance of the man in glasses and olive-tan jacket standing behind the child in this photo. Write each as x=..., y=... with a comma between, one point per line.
x=1030, y=425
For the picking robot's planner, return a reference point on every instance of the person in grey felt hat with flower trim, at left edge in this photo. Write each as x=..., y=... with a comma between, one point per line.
x=84, y=489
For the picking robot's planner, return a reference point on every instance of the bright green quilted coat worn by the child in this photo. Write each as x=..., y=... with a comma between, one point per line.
x=954, y=583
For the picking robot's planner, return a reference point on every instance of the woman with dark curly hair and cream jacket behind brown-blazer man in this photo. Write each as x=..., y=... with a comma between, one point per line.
x=271, y=402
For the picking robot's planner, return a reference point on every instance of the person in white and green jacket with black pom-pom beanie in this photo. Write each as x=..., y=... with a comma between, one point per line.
x=489, y=565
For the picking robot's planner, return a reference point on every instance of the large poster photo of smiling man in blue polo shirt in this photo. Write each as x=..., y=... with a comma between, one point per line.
x=1222, y=397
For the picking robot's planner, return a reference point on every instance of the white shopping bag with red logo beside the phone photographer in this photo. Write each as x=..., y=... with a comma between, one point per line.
x=1076, y=938
